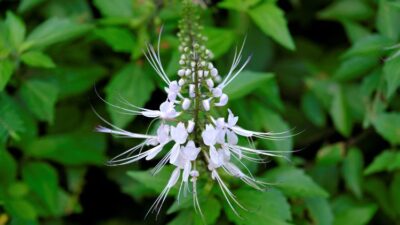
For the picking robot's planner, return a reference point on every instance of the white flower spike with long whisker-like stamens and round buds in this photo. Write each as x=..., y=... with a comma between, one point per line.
x=188, y=124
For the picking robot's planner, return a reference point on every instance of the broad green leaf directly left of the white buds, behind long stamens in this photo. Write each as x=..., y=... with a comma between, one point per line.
x=133, y=85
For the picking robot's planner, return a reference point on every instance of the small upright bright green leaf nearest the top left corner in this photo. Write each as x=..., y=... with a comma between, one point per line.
x=16, y=29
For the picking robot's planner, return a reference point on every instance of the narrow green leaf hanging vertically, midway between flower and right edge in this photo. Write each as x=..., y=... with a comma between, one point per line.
x=340, y=113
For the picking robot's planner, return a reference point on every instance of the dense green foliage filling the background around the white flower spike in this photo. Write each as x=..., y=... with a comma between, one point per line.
x=328, y=70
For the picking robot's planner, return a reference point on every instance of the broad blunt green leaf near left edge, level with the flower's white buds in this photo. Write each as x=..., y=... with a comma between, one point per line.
x=40, y=98
